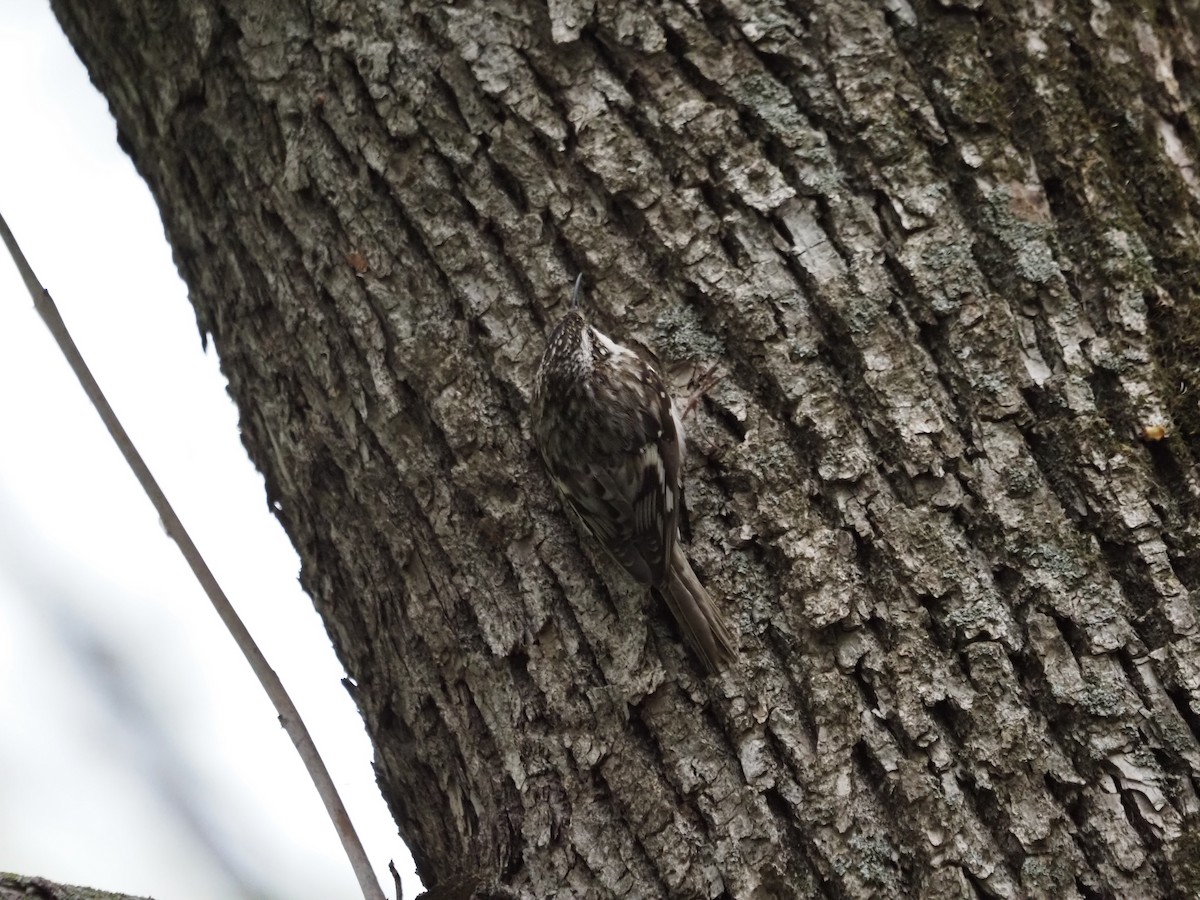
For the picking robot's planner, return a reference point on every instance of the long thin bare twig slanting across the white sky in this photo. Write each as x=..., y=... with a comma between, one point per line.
x=290, y=718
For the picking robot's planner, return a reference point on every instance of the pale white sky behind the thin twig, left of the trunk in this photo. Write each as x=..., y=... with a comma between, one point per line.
x=137, y=752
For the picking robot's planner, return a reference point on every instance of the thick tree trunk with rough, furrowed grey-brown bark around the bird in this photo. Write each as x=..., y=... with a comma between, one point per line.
x=947, y=257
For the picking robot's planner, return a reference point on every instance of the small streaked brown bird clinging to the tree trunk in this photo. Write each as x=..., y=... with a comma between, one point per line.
x=614, y=443
